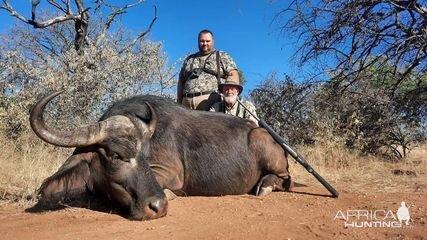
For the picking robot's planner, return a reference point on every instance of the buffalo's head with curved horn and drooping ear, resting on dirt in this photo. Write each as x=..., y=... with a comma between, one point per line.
x=110, y=158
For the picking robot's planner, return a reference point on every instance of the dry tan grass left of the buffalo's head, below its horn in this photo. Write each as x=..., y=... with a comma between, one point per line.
x=24, y=165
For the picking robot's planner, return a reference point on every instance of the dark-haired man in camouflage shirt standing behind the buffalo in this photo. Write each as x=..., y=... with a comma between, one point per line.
x=202, y=72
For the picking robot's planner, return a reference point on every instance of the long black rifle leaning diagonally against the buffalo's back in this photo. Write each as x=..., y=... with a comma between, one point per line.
x=292, y=152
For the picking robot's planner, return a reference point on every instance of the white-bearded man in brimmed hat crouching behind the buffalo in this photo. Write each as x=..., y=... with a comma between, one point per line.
x=231, y=90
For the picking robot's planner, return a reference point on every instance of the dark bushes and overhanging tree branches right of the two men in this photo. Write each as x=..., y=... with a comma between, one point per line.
x=365, y=82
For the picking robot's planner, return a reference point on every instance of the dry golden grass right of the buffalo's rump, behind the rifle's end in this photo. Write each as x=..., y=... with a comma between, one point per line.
x=349, y=171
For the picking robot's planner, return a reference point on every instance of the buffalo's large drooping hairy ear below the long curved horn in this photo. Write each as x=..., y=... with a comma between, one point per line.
x=68, y=183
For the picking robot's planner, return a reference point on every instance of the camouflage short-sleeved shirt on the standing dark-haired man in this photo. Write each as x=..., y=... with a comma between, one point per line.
x=200, y=72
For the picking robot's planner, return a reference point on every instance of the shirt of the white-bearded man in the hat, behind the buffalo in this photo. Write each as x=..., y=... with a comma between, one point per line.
x=236, y=110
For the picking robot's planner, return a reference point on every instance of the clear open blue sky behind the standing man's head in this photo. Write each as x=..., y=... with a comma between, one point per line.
x=243, y=28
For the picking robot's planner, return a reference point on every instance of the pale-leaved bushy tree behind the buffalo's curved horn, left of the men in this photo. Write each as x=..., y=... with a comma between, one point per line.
x=111, y=64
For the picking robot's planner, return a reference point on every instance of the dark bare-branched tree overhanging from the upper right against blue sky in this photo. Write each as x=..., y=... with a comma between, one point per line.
x=350, y=36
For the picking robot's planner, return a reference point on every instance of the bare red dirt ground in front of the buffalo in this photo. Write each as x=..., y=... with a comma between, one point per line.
x=306, y=214
